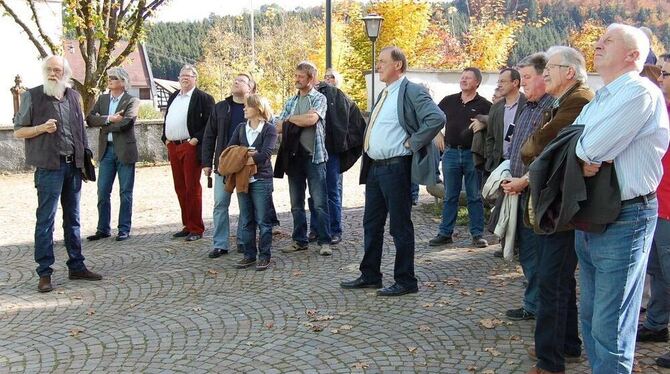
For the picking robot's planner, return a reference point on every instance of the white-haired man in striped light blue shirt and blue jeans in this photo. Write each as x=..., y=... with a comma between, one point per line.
x=626, y=123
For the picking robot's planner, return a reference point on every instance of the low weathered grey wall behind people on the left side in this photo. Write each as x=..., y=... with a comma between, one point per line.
x=148, y=133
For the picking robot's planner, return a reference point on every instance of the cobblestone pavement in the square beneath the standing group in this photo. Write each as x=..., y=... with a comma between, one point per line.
x=163, y=306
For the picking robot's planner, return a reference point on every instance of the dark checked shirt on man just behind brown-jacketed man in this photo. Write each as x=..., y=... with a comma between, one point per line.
x=534, y=114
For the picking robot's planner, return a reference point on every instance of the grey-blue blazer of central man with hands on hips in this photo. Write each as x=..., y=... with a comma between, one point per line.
x=421, y=118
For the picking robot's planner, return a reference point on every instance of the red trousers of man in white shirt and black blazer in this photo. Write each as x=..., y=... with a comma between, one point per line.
x=186, y=171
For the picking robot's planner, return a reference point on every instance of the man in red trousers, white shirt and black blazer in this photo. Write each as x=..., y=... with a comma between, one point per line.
x=185, y=119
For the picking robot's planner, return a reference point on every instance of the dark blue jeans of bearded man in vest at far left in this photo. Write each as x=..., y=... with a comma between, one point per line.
x=51, y=185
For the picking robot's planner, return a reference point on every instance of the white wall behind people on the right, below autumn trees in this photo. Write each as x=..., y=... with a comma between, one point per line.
x=443, y=83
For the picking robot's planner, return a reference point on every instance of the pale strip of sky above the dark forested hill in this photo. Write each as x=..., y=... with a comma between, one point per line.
x=189, y=10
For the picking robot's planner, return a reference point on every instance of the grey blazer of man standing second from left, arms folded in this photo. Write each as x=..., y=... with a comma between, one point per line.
x=123, y=132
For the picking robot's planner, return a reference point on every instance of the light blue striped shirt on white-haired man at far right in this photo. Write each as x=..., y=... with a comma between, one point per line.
x=627, y=122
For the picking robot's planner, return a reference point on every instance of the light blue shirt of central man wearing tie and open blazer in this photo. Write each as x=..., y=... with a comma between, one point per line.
x=387, y=139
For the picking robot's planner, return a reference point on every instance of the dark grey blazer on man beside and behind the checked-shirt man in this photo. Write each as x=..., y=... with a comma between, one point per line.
x=494, y=132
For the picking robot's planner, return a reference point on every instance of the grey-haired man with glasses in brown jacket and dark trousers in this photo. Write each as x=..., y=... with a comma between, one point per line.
x=556, y=336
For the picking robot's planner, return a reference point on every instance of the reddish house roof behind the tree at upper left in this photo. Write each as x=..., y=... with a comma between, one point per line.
x=134, y=64
